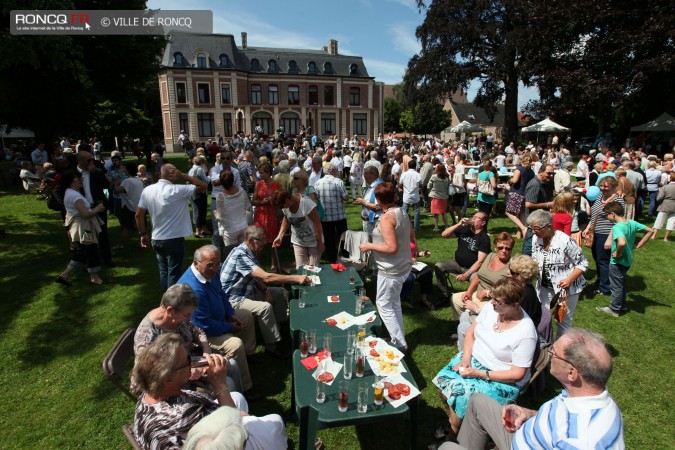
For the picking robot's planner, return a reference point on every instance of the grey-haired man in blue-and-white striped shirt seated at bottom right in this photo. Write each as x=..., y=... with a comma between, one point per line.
x=583, y=416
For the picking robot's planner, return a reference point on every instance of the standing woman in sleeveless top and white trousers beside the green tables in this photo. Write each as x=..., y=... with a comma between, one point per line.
x=391, y=252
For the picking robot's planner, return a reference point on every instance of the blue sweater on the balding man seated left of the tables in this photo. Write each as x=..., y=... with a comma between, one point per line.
x=214, y=310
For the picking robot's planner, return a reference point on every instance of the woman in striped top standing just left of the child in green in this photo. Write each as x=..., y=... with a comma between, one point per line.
x=602, y=228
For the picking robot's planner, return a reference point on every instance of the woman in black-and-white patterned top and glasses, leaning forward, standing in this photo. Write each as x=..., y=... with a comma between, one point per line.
x=561, y=266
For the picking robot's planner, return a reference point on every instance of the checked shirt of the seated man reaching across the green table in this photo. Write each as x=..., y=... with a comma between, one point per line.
x=236, y=274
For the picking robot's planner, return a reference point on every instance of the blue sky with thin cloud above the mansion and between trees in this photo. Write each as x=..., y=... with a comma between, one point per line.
x=380, y=31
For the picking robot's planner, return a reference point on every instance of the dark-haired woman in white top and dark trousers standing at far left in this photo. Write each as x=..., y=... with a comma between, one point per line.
x=83, y=226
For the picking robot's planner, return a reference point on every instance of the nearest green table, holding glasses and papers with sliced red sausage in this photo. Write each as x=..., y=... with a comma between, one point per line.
x=313, y=416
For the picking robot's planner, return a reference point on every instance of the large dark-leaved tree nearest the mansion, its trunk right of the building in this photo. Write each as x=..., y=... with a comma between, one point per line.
x=467, y=40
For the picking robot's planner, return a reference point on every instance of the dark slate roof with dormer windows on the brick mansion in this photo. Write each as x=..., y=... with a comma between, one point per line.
x=269, y=60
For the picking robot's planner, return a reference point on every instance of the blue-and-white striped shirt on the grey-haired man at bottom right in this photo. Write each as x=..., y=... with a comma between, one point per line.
x=590, y=422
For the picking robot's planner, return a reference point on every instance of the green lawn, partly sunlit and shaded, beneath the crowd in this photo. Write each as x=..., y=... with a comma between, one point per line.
x=54, y=339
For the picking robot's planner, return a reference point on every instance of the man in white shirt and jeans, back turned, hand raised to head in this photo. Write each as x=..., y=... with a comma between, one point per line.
x=167, y=204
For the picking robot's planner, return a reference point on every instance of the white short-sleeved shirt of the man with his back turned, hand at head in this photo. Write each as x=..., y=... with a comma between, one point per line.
x=167, y=204
